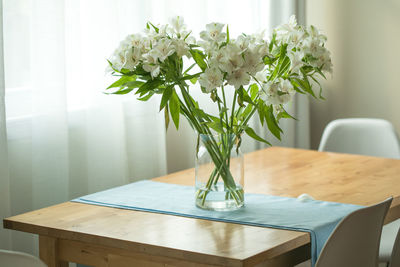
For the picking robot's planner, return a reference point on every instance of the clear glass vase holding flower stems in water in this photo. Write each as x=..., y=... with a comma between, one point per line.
x=219, y=173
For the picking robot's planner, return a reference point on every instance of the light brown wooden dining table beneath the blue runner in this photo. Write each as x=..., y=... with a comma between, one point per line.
x=102, y=236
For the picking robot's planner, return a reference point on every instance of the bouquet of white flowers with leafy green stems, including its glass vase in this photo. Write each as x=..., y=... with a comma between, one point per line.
x=262, y=75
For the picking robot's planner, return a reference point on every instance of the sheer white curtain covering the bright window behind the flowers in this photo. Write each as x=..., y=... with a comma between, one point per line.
x=60, y=136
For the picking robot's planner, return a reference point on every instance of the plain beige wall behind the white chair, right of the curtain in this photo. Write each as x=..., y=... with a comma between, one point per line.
x=364, y=38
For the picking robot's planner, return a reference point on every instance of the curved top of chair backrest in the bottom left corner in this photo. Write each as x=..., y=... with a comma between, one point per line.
x=18, y=259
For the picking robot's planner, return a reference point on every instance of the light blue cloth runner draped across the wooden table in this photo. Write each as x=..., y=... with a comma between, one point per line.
x=319, y=218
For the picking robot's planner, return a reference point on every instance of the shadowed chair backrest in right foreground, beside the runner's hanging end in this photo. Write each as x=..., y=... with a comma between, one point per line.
x=355, y=240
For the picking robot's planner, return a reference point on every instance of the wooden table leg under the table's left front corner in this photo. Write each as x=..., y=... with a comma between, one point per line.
x=48, y=251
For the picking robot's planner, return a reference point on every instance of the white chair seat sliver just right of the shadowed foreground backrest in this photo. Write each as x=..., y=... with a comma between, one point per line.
x=389, y=233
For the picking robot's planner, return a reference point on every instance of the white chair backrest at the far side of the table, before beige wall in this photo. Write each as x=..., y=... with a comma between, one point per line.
x=372, y=137
